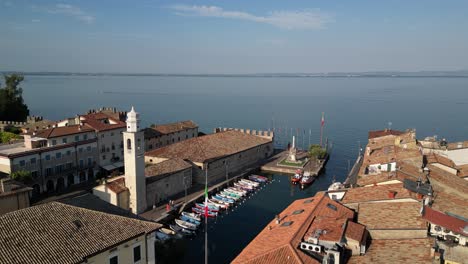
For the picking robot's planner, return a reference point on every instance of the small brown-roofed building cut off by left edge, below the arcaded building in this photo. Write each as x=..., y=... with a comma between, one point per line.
x=13, y=196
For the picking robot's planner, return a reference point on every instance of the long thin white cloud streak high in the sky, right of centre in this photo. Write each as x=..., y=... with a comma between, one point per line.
x=302, y=19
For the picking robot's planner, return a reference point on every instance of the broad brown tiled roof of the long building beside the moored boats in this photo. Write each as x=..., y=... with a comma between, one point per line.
x=212, y=146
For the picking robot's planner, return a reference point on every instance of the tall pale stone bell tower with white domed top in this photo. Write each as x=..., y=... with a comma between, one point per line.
x=134, y=157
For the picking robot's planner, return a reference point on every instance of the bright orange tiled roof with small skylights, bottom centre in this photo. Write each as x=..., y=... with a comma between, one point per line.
x=280, y=243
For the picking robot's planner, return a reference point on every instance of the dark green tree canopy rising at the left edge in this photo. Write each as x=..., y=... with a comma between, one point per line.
x=12, y=106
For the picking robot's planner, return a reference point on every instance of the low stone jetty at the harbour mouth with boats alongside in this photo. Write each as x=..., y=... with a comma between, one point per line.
x=314, y=167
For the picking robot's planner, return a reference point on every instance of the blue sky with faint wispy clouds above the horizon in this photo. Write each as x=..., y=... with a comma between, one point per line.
x=227, y=36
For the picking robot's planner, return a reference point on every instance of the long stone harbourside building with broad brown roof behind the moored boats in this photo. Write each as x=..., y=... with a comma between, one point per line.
x=220, y=154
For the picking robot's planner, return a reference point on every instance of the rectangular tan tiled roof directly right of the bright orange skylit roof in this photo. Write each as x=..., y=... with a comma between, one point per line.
x=391, y=215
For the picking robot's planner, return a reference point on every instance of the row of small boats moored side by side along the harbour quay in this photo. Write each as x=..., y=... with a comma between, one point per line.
x=188, y=222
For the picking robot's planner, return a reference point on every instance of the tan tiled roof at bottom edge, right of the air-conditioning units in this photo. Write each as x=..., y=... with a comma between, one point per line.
x=385, y=251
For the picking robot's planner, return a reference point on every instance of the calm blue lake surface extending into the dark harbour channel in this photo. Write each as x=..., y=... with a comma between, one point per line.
x=352, y=106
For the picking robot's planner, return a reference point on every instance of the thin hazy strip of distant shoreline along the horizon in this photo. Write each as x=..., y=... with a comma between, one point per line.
x=450, y=74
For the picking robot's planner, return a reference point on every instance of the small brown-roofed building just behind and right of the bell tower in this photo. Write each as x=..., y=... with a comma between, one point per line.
x=158, y=136
